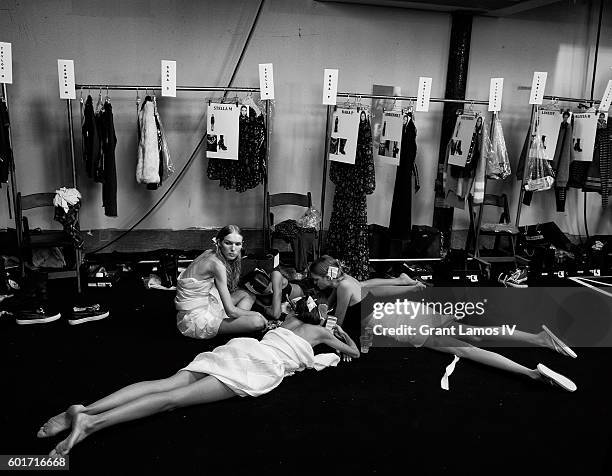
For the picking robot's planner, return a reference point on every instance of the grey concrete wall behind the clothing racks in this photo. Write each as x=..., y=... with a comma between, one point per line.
x=123, y=42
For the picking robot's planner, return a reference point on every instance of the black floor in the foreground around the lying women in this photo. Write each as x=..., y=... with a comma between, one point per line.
x=384, y=413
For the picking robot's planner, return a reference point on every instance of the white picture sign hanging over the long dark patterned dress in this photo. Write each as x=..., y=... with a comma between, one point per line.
x=345, y=129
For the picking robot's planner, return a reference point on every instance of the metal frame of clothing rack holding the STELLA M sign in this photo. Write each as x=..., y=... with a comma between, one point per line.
x=144, y=88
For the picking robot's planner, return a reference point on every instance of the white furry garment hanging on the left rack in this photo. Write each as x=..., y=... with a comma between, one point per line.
x=147, y=168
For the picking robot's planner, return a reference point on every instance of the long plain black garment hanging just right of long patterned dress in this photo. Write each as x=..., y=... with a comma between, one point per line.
x=400, y=223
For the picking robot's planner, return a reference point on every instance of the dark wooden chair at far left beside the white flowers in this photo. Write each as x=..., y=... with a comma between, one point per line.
x=28, y=240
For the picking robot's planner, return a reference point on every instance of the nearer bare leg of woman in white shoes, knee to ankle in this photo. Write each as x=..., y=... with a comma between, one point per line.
x=459, y=348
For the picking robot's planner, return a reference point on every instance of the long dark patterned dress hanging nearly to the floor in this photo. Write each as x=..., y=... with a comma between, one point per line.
x=348, y=228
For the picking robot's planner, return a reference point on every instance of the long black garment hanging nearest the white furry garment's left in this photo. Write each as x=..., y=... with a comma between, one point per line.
x=109, y=142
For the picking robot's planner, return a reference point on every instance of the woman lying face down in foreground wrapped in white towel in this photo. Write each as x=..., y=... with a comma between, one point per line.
x=244, y=366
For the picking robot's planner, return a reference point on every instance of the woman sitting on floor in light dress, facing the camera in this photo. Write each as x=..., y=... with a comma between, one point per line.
x=208, y=300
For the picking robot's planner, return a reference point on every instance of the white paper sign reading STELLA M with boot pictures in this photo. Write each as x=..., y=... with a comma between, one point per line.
x=222, y=131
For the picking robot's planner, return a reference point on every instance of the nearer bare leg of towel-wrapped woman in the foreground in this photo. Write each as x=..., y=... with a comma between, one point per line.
x=208, y=389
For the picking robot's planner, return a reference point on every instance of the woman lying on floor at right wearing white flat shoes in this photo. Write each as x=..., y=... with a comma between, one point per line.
x=350, y=291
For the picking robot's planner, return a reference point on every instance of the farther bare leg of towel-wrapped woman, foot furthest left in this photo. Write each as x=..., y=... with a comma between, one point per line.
x=63, y=421
